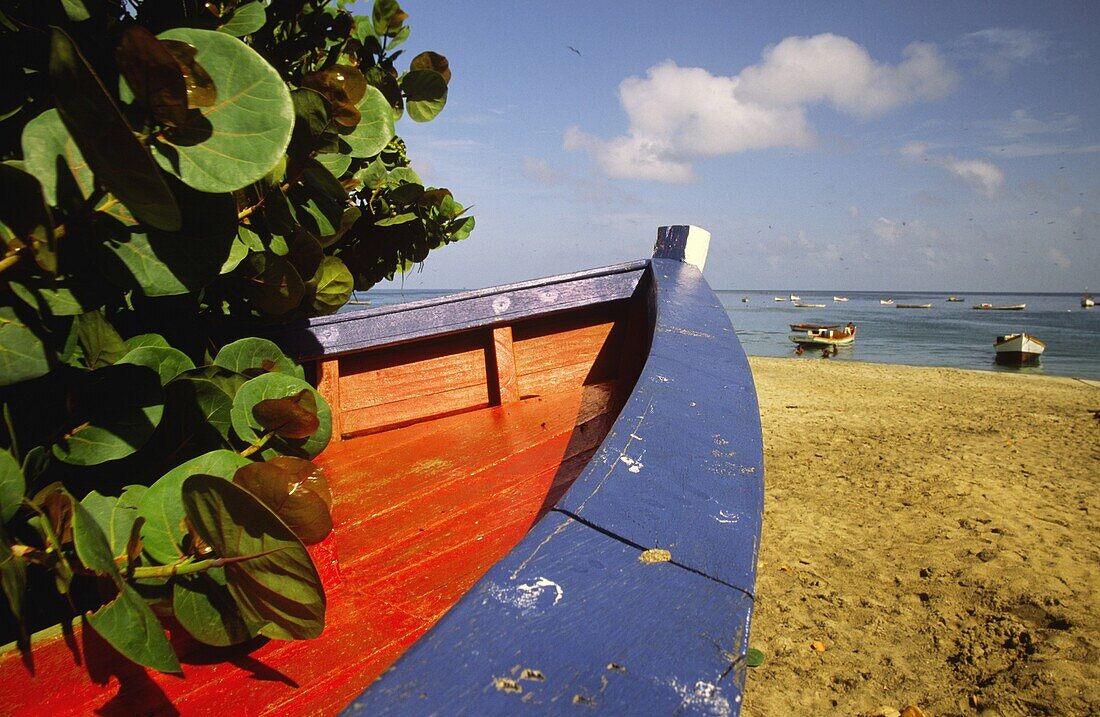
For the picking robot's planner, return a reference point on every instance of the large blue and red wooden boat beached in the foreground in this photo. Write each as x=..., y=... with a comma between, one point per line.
x=545, y=494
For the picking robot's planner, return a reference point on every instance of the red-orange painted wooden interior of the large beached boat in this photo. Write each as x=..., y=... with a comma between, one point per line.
x=449, y=450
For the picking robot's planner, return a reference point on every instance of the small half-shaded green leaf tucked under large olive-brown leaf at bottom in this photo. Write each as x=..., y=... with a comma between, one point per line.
x=207, y=611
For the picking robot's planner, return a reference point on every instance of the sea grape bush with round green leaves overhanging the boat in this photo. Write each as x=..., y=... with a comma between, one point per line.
x=173, y=174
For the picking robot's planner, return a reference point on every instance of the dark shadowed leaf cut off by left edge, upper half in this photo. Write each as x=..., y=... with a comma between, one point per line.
x=25, y=213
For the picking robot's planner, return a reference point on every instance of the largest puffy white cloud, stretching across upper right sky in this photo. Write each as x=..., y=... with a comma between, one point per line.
x=680, y=115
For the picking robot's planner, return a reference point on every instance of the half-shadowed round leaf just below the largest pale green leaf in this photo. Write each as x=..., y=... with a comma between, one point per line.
x=162, y=264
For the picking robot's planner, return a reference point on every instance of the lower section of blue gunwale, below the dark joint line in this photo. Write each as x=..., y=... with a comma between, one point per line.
x=571, y=620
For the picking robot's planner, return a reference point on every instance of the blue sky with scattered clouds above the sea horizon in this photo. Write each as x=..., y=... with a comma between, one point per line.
x=860, y=147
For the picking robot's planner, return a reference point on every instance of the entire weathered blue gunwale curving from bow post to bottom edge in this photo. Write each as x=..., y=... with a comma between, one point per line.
x=615, y=501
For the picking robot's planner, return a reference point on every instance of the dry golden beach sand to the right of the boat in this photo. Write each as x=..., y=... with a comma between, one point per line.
x=937, y=533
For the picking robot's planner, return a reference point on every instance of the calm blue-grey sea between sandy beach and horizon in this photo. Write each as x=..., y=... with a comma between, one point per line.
x=948, y=335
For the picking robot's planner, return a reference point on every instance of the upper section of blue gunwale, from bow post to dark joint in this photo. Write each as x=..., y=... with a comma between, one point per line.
x=684, y=466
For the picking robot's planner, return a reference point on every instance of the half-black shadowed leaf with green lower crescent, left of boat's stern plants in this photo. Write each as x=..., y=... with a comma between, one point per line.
x=122, y=406
